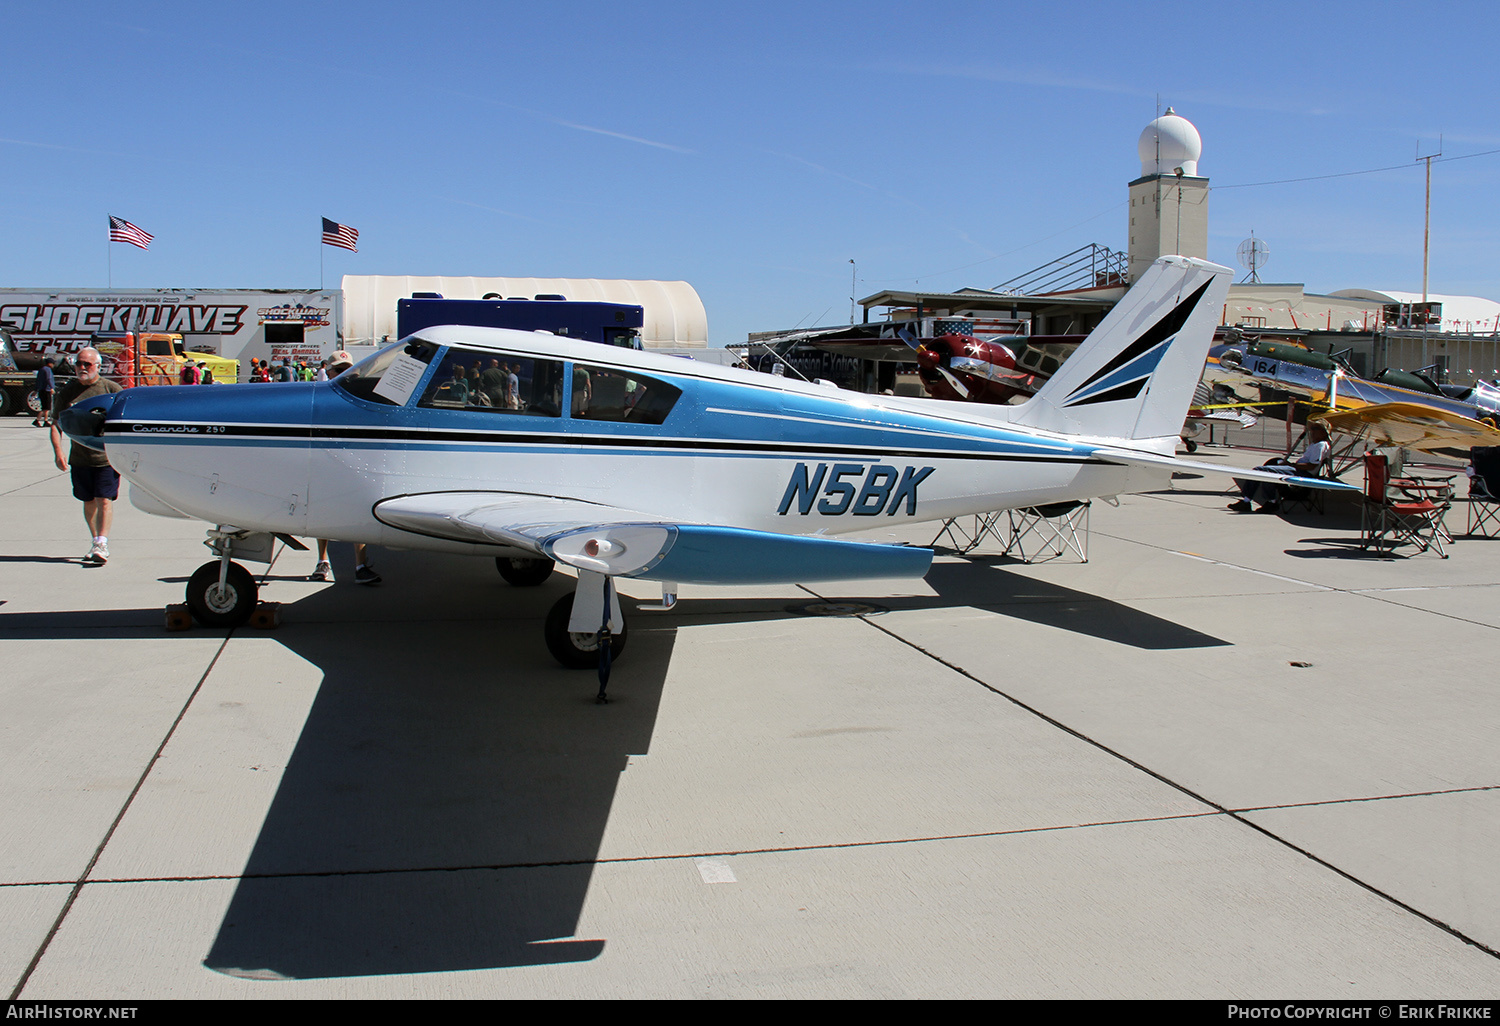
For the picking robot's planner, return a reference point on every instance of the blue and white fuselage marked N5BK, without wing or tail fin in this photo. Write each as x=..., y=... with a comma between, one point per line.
x=736, y=448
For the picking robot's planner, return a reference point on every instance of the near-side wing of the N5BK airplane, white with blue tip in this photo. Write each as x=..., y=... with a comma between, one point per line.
x=623, y=544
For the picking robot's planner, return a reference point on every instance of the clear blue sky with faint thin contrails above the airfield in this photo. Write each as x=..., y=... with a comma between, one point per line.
x=752, y=151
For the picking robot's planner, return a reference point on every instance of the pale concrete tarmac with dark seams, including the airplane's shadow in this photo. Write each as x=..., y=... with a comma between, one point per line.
x=1231, y=758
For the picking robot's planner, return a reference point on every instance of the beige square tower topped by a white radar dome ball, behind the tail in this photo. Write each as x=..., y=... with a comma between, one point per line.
x=1169, y=203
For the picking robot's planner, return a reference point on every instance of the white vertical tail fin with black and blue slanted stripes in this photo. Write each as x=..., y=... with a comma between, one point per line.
x=1133, y=377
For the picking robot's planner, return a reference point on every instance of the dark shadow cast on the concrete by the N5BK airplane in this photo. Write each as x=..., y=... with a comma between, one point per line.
x=451, y=788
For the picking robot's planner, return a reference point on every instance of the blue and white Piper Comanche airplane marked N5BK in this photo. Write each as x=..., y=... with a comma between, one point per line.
x=626, y=464
